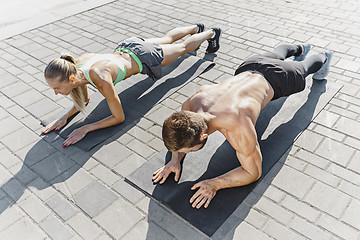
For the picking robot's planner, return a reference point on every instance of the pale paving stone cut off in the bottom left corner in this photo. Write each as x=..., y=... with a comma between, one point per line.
x=22, y=229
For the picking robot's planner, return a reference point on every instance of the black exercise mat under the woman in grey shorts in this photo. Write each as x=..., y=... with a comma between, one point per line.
x=138, y=94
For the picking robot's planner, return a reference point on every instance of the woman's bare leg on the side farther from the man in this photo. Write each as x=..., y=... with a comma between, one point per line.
x=174, y=35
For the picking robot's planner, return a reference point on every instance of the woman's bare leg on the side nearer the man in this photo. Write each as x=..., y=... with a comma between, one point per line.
x=174, y=51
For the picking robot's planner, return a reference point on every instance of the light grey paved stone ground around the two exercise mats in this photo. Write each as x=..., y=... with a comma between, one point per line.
x=53, y=193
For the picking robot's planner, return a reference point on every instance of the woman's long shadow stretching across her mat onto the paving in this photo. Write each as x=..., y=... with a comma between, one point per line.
x=53, y=164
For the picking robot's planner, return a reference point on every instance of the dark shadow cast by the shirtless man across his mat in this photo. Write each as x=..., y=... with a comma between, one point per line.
x=275, y=146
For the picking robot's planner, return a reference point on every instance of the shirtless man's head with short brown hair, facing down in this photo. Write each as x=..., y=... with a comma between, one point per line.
x=184, y=131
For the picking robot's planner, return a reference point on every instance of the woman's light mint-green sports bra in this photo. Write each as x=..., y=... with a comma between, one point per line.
x=85, y=66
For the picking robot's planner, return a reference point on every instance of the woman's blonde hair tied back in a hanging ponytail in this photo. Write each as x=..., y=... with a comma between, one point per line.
x=64, y=67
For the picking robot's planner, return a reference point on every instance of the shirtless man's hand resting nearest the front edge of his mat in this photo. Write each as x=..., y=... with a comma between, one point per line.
x=204, y=195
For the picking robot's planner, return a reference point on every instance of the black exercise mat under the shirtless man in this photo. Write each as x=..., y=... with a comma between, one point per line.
x=278, y=126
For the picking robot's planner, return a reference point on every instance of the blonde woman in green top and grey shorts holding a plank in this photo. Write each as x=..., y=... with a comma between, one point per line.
x=68, y=76
